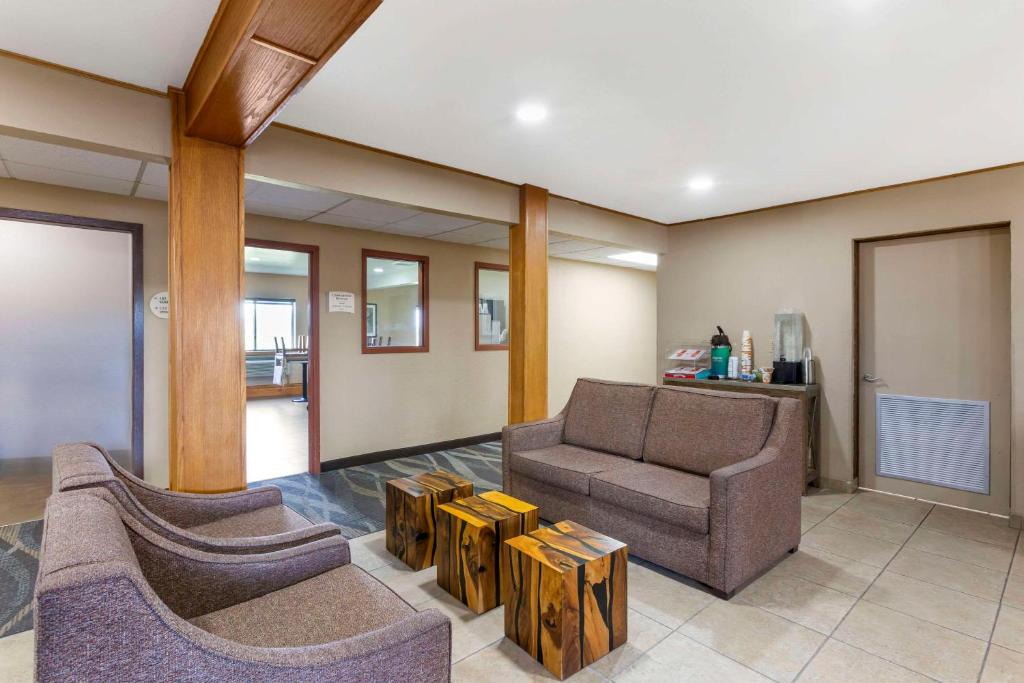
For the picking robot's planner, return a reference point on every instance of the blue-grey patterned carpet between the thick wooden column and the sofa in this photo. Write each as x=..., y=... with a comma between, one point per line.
x=354, y=498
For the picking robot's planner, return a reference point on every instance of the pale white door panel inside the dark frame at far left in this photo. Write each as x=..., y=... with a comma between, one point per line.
x=66, y=320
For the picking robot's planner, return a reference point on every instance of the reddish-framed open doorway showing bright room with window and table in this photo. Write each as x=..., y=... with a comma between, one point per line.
x=282, y=345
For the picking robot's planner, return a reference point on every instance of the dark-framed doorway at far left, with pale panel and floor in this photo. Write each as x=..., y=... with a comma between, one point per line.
x=71, y=311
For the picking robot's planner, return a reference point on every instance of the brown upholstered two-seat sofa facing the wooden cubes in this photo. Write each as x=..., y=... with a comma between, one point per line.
x=706, y=484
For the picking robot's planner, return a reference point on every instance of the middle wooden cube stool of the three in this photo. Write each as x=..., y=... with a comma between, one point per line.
x=471, y=535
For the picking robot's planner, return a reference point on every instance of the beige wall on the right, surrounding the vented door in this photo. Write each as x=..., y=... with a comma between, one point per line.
x=739, y=272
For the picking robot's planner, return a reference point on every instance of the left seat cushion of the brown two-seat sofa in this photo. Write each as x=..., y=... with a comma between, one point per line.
x=566, y=466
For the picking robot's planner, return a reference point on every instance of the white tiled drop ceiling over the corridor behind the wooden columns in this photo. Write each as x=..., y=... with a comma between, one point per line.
x=58, y=165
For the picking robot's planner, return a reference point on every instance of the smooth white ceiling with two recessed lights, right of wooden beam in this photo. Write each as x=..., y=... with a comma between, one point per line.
x=779, y=102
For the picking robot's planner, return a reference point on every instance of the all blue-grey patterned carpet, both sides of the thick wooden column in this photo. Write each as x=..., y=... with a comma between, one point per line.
x=352, y=498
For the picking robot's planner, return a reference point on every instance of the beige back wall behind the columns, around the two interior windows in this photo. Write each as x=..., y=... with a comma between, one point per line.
x=603, y=324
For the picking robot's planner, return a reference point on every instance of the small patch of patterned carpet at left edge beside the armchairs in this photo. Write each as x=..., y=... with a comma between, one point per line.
x=19, y=566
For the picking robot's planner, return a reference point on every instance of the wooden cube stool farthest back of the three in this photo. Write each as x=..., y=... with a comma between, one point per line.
x=411, y=508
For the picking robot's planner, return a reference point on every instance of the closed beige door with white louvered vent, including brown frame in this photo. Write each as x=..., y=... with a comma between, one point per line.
x=932, y=366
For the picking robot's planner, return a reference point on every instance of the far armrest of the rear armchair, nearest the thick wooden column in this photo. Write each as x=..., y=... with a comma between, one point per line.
x=188, y=510
